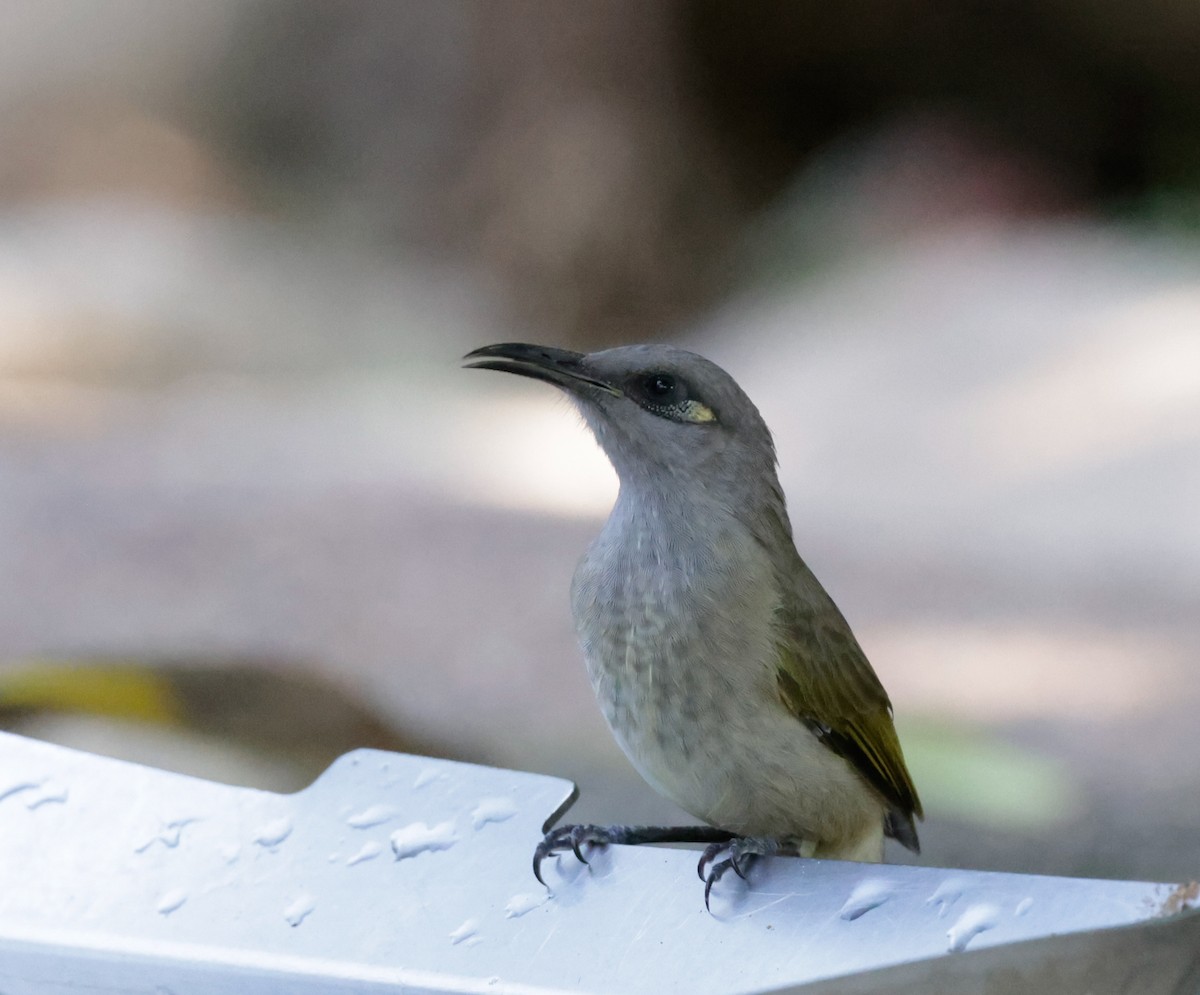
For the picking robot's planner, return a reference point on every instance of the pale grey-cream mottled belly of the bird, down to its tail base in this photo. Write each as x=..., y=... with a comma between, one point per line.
x=699, y=716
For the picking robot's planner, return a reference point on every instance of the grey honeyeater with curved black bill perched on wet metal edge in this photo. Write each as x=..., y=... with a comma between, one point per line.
x=724, y=669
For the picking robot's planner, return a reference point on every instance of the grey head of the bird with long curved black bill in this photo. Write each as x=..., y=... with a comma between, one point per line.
x=665, y=417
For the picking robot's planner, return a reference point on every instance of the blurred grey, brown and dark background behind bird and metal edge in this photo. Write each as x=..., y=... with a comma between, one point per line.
x=253, y=514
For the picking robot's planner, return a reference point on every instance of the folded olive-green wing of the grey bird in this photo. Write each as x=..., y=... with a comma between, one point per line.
x=826, y=681
